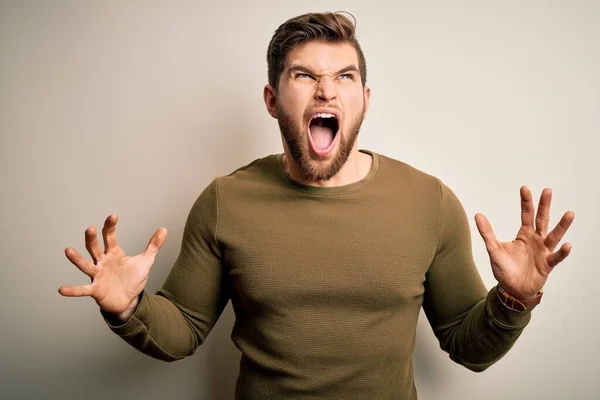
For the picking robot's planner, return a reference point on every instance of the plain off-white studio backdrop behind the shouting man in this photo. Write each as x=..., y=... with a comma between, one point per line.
x=134, y=107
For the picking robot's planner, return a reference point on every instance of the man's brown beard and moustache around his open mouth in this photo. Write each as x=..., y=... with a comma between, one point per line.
x=297, y=141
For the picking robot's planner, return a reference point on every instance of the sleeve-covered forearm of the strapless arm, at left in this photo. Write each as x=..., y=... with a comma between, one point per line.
x=157, y=328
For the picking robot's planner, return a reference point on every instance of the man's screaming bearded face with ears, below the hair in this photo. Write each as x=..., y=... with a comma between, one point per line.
x=320, y=106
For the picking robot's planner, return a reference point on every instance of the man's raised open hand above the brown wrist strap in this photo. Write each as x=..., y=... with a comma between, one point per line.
x=523, y=265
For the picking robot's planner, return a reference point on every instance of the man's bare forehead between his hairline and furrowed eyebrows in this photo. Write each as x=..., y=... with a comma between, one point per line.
x=322, y=56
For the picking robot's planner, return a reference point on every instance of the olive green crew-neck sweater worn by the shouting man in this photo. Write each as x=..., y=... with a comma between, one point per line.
x=326, y=283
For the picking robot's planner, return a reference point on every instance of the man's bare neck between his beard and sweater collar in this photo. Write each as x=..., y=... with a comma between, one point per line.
x=356, y=168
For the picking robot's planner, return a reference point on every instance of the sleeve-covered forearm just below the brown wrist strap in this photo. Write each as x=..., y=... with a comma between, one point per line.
x=484, y=334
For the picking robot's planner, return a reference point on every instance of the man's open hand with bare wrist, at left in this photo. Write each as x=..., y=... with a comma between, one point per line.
x=117, y=279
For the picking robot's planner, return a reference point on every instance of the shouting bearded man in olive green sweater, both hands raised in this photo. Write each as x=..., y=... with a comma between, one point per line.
x=327, y=252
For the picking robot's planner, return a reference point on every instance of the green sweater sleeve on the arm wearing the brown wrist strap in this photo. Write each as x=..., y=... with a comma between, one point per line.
x=471, y=324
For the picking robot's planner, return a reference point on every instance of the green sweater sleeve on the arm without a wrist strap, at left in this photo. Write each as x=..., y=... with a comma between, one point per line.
x=172, y=323
